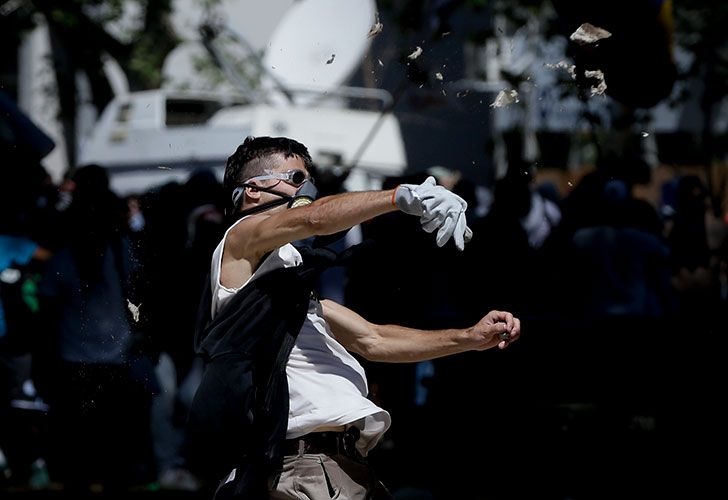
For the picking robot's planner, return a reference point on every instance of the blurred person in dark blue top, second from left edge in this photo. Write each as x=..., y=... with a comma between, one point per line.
x=98, y=379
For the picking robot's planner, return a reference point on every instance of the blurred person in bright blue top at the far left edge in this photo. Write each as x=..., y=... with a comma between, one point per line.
x=26, y=196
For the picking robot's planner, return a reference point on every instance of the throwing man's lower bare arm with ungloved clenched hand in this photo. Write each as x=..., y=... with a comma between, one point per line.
x=398, y=344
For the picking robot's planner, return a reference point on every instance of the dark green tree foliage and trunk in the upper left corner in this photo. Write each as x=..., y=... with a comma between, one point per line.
x=81, y=38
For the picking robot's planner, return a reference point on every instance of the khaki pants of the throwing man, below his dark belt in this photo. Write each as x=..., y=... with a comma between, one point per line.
x=323, y=477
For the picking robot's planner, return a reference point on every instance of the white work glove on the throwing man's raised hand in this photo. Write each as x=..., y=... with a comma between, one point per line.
x=437, y=208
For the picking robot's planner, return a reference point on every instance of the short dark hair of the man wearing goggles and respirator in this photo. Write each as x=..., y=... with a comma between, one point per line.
x=241, y=167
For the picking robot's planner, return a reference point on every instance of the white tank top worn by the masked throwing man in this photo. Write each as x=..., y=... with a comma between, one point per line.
x=327, y=386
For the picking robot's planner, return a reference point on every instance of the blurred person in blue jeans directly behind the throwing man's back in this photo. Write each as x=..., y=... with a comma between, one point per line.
x=183, y=224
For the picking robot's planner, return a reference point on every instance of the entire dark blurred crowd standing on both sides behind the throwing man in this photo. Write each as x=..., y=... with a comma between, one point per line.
x=622, y=299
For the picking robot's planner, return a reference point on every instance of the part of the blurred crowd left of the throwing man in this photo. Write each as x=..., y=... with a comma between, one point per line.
x=100, y=296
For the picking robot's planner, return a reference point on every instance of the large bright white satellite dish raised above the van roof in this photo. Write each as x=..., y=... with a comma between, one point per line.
x=319, y=43
